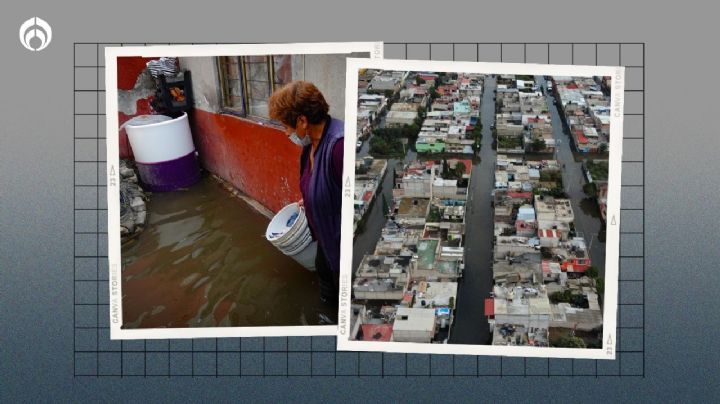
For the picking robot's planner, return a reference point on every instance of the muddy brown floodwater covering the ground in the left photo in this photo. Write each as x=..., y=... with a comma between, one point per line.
x=203, y=261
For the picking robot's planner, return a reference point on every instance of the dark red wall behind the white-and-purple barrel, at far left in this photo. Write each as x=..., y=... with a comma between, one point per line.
x=128, y=70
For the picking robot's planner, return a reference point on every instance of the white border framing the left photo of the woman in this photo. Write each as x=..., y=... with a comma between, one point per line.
x=375, y=49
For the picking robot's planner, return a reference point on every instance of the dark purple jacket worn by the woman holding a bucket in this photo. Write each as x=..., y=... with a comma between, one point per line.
x=324, y=195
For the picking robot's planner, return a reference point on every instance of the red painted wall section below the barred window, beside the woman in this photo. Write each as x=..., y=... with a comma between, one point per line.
x=256, y=159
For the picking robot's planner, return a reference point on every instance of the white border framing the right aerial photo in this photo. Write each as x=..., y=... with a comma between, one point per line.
x=613, y=207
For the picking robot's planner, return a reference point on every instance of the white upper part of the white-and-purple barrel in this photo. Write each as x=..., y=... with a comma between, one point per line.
x=159, y=138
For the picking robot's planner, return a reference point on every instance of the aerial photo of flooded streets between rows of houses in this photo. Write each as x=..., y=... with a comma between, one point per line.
x=480, y=209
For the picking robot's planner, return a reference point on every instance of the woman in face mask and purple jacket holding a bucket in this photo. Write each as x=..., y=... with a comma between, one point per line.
x=303, y=111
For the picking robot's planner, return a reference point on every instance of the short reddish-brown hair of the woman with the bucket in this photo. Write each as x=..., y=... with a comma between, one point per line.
x=296, y=99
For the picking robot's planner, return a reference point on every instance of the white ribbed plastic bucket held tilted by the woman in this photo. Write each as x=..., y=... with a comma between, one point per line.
x=294, y=241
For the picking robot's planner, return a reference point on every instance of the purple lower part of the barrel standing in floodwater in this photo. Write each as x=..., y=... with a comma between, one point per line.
x=169, y=175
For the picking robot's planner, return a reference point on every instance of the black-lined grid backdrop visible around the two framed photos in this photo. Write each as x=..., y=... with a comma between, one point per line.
x=96, y=355
